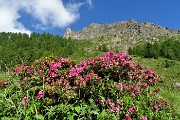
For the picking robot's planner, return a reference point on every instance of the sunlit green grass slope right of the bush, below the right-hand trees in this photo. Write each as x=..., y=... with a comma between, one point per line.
x=169, y=76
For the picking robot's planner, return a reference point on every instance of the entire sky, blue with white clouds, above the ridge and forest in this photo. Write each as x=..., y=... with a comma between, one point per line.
x=54, y=16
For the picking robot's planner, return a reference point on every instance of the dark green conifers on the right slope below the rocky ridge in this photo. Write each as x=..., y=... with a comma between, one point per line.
x=168, y=48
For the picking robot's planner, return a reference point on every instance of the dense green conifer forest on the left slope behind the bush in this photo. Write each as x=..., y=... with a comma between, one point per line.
x=16, y=48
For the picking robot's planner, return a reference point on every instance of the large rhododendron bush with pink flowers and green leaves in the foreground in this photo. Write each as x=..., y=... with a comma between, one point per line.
x=111, y=86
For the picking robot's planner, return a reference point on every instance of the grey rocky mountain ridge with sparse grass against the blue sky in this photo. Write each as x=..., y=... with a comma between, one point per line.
x=121, y=34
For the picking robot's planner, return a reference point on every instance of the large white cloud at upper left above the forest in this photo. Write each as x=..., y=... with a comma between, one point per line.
x=48, y=13
